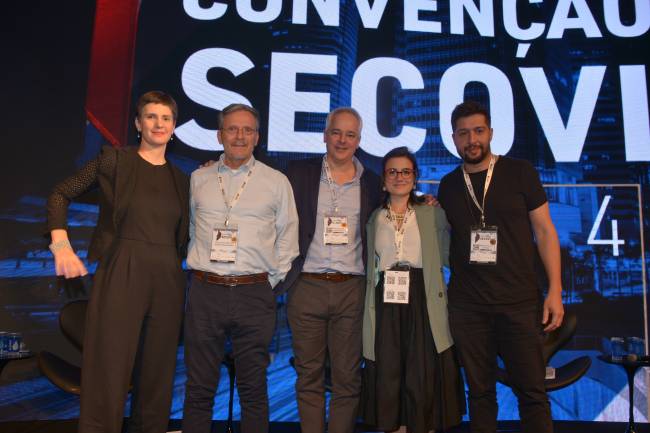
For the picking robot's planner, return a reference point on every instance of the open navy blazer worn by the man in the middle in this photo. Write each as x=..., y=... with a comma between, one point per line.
x=304, y=176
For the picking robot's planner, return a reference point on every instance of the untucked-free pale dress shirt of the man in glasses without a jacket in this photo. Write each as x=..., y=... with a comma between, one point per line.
x=265, y=215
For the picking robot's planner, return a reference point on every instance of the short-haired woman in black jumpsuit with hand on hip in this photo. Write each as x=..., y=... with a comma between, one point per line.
x=135, y=309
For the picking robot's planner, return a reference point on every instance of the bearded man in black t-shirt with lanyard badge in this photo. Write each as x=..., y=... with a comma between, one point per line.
x=495, y=205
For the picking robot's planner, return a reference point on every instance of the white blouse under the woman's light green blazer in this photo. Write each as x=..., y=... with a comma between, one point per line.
x=385, y=242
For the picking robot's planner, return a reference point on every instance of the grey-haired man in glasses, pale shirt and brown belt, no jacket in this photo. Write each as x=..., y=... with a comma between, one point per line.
x=243, y=239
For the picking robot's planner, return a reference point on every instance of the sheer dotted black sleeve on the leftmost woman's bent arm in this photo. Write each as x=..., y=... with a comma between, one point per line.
x=75, y=185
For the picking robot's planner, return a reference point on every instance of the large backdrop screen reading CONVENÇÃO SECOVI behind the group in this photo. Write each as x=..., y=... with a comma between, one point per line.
x=566, y=81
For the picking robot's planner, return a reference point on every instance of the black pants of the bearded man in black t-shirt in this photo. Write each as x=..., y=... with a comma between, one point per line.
x=517, y=337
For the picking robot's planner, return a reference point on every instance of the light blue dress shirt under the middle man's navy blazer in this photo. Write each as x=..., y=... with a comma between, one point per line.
x=345, y=258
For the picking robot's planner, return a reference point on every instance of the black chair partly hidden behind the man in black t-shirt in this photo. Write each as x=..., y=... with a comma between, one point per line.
x=554, y=341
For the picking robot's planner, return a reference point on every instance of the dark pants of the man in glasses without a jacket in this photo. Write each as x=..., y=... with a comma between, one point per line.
x=246, y=314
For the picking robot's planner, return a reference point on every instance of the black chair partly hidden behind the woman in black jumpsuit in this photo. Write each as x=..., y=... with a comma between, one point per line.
x=66, y=376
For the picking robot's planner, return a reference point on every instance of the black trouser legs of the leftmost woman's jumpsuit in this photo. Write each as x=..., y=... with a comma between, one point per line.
x=132, y=327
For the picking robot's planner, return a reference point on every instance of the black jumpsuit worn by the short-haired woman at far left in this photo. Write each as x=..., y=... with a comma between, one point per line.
x=135, y=311
